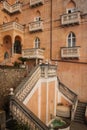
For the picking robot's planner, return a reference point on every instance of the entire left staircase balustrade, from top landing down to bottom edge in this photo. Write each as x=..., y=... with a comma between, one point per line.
x=18, y=109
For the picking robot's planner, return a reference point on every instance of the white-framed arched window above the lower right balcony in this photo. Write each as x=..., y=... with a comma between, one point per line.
x=71, y=40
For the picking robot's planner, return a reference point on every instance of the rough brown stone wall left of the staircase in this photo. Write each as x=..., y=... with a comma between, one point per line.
x=9, y=78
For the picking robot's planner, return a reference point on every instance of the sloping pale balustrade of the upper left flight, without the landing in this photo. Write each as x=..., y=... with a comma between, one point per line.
x=27, y=85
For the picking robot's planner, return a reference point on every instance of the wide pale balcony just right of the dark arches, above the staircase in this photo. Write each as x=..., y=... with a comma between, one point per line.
x=33, y=53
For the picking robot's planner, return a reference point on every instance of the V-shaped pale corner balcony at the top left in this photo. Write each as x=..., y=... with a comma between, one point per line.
x=11, y=9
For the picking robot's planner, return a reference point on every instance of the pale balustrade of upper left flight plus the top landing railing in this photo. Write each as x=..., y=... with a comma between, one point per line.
x=27, y=85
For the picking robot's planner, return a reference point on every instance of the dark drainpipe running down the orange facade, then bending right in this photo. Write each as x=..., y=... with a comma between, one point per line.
x=51, y=29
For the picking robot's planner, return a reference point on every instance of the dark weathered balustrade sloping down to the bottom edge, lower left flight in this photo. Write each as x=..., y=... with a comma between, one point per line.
x=20, y=111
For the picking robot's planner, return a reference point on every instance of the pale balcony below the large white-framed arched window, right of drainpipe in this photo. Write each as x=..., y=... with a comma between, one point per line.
x=70, y=52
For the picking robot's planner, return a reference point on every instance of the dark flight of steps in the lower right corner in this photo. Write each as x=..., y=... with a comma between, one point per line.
x=80, y=112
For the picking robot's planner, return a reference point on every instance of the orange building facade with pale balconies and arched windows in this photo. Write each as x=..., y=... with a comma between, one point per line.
x=48, y=30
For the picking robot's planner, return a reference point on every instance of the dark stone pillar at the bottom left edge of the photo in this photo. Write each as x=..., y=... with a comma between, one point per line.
x=2, y=120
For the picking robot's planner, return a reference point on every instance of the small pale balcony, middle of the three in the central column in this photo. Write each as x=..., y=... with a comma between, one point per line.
x=36, y=26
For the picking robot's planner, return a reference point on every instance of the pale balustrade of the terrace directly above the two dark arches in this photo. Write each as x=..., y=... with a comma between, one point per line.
x=11, y=26
